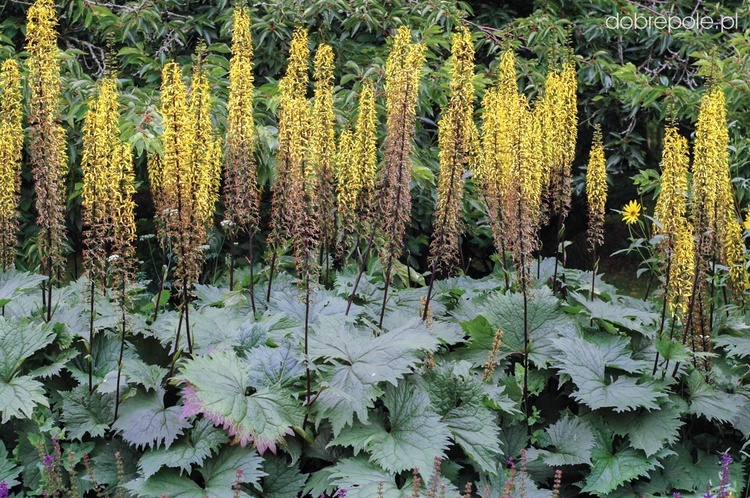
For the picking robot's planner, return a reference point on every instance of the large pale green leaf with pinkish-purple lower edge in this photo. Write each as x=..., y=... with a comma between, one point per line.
x=216, y=388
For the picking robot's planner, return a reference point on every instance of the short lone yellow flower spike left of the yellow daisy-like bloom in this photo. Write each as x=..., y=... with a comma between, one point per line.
x=596, y=189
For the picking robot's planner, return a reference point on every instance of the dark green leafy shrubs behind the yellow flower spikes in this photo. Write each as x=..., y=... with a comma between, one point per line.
x=630, y=82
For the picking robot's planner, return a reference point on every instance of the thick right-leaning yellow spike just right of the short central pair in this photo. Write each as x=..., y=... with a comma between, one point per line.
x=403, y=71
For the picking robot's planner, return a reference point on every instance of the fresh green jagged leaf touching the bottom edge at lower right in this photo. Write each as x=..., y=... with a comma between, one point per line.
x=614, y=468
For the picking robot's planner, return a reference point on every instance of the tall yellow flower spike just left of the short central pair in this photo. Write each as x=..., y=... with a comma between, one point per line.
x=322, y=152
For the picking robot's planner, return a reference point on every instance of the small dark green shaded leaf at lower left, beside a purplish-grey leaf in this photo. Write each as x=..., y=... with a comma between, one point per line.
x=86, y=413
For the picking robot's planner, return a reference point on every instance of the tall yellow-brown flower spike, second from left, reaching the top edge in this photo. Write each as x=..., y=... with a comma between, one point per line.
x=47, y=147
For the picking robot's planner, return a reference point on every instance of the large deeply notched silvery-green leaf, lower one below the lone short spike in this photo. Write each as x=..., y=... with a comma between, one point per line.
x=585, y=362
